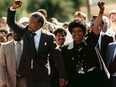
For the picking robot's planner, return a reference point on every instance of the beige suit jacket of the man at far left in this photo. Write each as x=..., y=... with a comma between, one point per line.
x=8, y=64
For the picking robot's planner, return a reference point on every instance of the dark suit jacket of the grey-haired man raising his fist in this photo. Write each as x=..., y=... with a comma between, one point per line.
x=46, y=47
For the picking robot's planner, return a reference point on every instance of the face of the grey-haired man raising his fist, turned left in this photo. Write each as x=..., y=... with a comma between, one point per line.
x=33, y=24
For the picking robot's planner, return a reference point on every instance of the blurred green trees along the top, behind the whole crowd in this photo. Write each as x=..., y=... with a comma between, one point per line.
x=63, y=10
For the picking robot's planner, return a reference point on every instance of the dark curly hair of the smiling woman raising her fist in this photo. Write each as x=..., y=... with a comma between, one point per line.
x=77, y=23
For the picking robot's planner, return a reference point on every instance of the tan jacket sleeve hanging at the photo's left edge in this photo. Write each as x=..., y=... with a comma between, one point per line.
x=2, y=66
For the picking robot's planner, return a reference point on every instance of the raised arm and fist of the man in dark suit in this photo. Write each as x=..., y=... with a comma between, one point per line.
x=11, y=18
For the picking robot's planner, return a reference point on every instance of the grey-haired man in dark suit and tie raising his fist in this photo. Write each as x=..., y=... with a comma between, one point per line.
x=33, y=64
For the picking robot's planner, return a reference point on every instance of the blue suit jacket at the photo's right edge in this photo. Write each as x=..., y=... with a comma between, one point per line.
x=110, y=53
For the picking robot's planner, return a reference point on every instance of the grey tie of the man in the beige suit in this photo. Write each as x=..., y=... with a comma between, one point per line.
x=18, y=53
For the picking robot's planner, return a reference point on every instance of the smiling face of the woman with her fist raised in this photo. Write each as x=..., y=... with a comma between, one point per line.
x=77, y=34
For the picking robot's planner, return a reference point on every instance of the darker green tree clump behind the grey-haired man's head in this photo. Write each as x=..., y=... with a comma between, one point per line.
x=61, y=9
